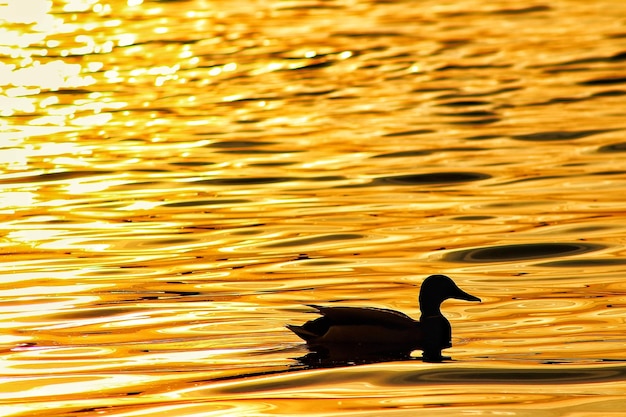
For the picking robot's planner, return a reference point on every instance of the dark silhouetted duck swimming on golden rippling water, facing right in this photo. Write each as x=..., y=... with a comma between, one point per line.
x=379, y=331
